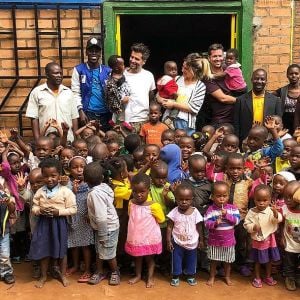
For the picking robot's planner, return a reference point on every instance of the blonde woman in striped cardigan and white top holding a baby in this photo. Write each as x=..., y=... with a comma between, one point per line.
x=191, y=92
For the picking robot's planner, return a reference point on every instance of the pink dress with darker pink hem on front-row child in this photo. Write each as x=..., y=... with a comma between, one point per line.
x=143, y=235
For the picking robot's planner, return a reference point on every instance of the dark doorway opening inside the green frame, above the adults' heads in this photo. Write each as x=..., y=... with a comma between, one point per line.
x=172, y=37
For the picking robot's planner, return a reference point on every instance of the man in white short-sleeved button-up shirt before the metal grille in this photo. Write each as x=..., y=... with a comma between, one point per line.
x=52, y=100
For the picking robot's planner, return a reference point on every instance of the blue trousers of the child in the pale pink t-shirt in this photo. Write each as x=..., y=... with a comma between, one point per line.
x=182, y=256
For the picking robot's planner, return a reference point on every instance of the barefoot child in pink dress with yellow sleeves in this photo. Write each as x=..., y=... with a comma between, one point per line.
x=143, y=236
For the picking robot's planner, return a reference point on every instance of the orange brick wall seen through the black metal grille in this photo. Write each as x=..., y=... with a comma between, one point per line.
x=25, y=24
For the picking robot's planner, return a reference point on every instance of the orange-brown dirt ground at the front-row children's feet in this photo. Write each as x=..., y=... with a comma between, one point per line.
x=24, y=289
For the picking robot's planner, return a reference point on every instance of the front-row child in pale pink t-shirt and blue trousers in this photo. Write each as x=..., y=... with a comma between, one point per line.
x=184, y=235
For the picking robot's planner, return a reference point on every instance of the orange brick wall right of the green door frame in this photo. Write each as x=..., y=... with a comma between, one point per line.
x=272, y=39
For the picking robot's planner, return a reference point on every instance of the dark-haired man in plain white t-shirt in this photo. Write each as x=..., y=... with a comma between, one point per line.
x=142, y=86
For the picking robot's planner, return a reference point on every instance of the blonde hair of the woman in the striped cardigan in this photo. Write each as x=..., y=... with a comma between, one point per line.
x=199, y=65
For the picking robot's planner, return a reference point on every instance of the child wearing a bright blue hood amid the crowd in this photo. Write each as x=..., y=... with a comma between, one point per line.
x=171, y=154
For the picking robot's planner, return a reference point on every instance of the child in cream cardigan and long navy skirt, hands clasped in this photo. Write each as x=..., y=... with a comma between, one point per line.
x=52, y=203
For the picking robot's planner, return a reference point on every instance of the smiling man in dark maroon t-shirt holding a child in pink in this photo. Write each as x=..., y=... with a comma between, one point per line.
x=218, y=102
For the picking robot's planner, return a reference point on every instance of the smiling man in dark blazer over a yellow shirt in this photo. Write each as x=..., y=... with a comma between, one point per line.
x=254, y=106
